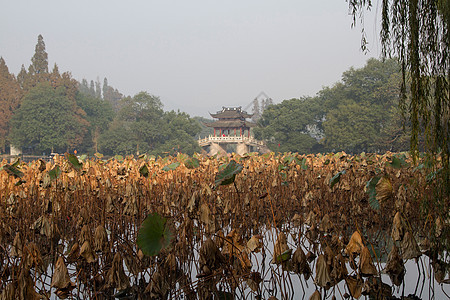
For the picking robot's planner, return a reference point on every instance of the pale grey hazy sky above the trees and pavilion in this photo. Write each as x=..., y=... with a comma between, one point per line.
x=197, y=56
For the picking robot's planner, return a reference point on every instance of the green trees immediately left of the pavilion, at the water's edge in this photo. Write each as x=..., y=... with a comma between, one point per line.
x=141, y=125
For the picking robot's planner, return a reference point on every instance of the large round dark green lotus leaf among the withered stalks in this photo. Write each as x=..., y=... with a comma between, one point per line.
x=154, y=235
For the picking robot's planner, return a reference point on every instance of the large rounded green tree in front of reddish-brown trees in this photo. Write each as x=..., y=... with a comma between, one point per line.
x=45, y=121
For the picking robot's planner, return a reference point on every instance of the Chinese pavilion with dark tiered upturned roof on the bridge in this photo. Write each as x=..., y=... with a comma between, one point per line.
x=231, y=122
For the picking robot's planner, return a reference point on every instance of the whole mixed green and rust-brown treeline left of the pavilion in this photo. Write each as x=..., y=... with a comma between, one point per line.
x=44, y=111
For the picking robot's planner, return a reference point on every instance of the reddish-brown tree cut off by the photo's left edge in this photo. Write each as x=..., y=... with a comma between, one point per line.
x=10, y=94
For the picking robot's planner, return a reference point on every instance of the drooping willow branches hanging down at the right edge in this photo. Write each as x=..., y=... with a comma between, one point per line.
x=417, y=32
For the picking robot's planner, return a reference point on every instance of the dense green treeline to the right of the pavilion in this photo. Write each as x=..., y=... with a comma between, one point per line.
x=358, y=114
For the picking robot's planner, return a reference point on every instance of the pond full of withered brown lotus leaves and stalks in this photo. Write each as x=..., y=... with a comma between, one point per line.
x=251, y=227
